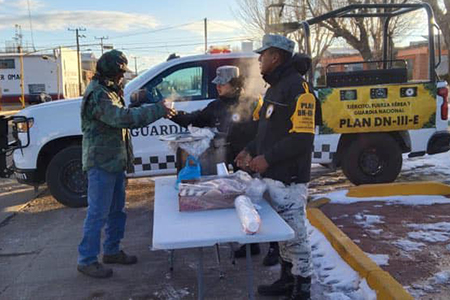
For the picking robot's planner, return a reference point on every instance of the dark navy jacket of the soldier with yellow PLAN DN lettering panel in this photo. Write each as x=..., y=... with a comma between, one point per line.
x=287, y=153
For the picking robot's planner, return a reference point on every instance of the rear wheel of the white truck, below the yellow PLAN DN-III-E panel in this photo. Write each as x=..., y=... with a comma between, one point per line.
x=372, y=158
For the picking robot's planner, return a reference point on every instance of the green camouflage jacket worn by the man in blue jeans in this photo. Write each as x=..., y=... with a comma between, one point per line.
x=105, y=121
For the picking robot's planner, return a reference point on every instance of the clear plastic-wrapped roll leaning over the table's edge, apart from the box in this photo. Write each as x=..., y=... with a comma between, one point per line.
x=247, y=214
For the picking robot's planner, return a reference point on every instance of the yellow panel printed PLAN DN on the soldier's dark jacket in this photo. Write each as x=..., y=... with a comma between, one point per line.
x=303, y=119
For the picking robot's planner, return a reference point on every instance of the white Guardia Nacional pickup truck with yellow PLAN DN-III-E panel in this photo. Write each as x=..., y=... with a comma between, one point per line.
x=358, y=132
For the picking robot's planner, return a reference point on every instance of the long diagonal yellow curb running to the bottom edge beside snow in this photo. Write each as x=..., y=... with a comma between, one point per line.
x=385, y=286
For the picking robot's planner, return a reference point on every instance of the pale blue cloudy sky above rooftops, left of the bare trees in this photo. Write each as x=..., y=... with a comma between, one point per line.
x=149, y=30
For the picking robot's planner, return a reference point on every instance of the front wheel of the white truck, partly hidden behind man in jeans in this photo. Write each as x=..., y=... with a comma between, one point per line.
x=65, y=178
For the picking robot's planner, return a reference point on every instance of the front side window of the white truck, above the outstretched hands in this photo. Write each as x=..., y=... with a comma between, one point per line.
x=178, y=85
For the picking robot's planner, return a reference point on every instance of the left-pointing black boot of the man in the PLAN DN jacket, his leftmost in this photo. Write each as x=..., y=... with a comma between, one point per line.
x=282, y=286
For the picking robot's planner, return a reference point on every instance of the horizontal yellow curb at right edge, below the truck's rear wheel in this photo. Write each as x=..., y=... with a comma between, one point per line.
x=399, y=189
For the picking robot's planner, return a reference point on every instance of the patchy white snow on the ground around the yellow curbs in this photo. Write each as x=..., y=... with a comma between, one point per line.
x=334, y=279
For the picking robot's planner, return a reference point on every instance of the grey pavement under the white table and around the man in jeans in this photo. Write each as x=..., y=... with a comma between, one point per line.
x=38, y=258
